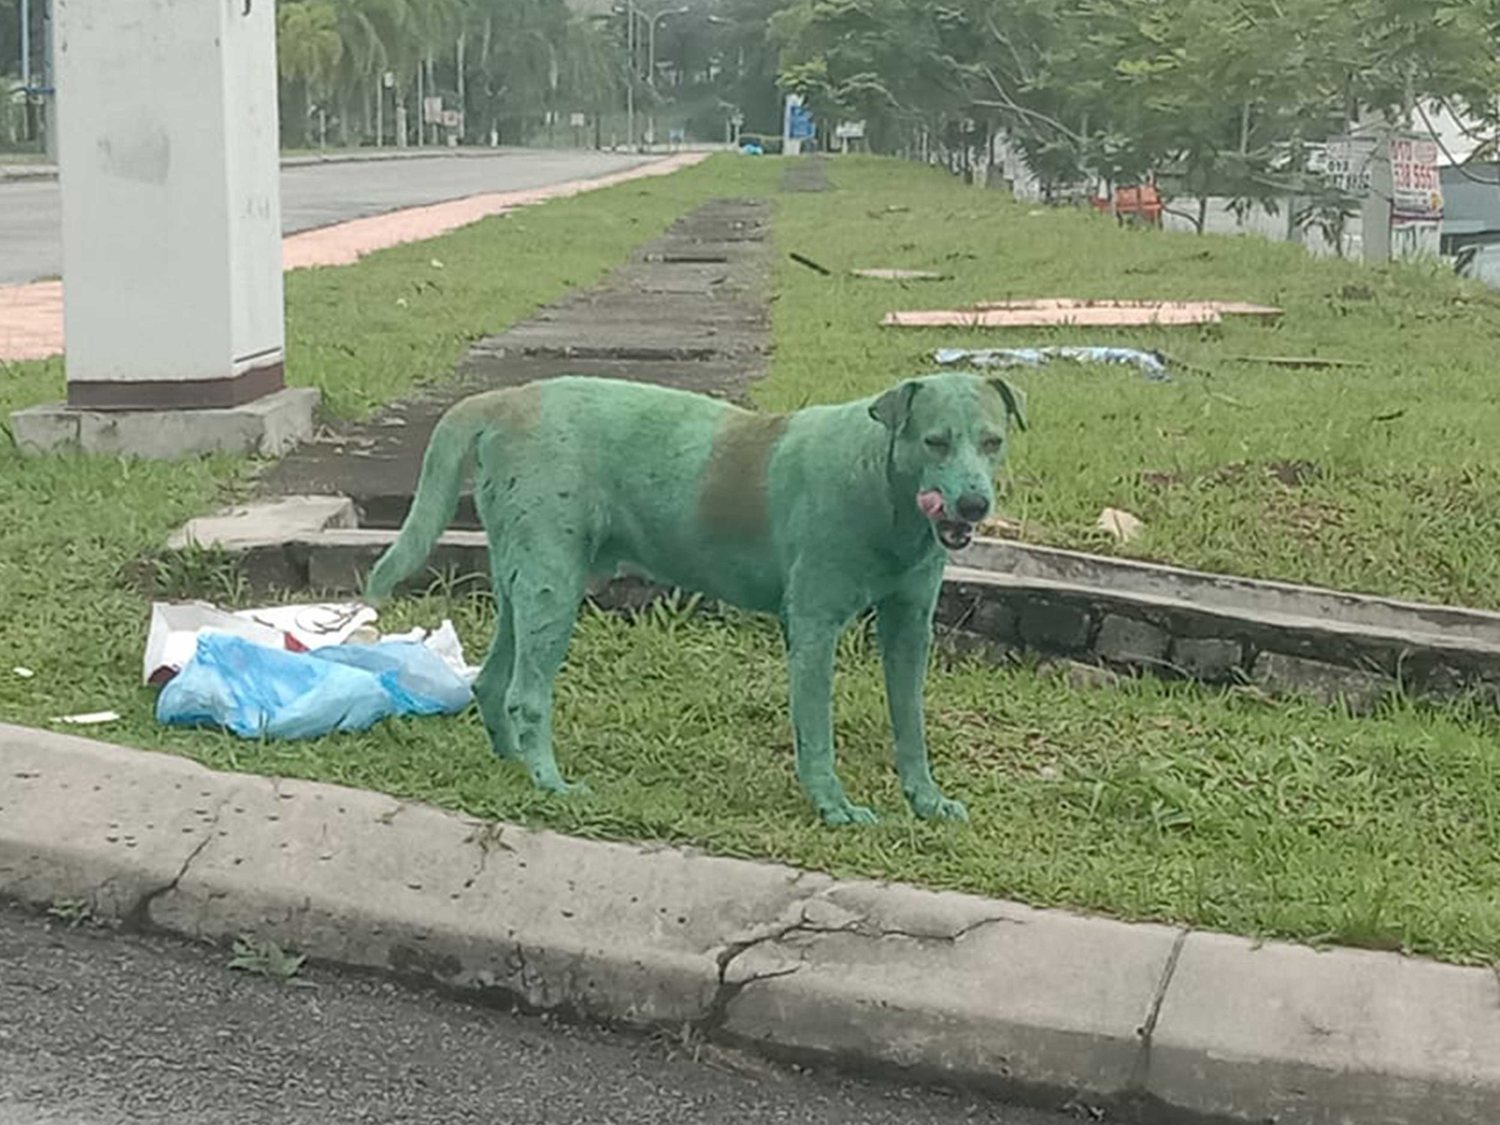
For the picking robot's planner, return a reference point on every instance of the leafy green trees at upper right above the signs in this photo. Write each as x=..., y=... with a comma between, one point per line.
x=1223, y=97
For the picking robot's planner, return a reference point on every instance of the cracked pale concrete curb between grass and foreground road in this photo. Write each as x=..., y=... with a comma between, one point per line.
x=946, y=986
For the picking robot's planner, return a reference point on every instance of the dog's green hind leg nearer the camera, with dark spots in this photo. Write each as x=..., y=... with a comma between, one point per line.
x=544, y=601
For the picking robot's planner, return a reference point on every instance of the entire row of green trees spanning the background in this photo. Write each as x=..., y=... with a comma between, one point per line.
x=1217, y=95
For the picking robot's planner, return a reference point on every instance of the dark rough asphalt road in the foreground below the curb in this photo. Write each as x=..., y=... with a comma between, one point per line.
x=103, y=1030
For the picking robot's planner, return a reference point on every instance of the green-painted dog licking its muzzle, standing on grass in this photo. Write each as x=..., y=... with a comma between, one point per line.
x=814, y=517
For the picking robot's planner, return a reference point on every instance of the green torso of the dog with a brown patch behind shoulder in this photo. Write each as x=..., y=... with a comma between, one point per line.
x=698, y=494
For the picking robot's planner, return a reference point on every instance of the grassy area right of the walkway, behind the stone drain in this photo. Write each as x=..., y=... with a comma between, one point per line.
x=1400, y=479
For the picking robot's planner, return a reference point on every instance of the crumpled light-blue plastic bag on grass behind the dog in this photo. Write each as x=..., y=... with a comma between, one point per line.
x=260, y=692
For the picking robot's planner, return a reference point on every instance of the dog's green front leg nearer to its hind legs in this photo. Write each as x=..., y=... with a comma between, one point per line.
x=811, y=643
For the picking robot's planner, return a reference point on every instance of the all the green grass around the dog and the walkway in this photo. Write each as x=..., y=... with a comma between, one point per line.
x=1144, y=802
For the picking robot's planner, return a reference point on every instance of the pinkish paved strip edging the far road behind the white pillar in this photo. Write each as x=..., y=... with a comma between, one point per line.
x=32, y=314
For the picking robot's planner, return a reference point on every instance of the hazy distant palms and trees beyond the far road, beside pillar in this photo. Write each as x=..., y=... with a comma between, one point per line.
x=358, y=70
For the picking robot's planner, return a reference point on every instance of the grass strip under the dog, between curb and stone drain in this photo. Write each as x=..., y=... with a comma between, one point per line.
x=1147, y=802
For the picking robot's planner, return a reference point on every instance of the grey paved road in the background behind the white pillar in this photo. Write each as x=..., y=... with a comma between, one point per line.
x=313, y=196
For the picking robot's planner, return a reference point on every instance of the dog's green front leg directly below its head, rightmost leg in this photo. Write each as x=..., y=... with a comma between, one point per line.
x=904, y=625
